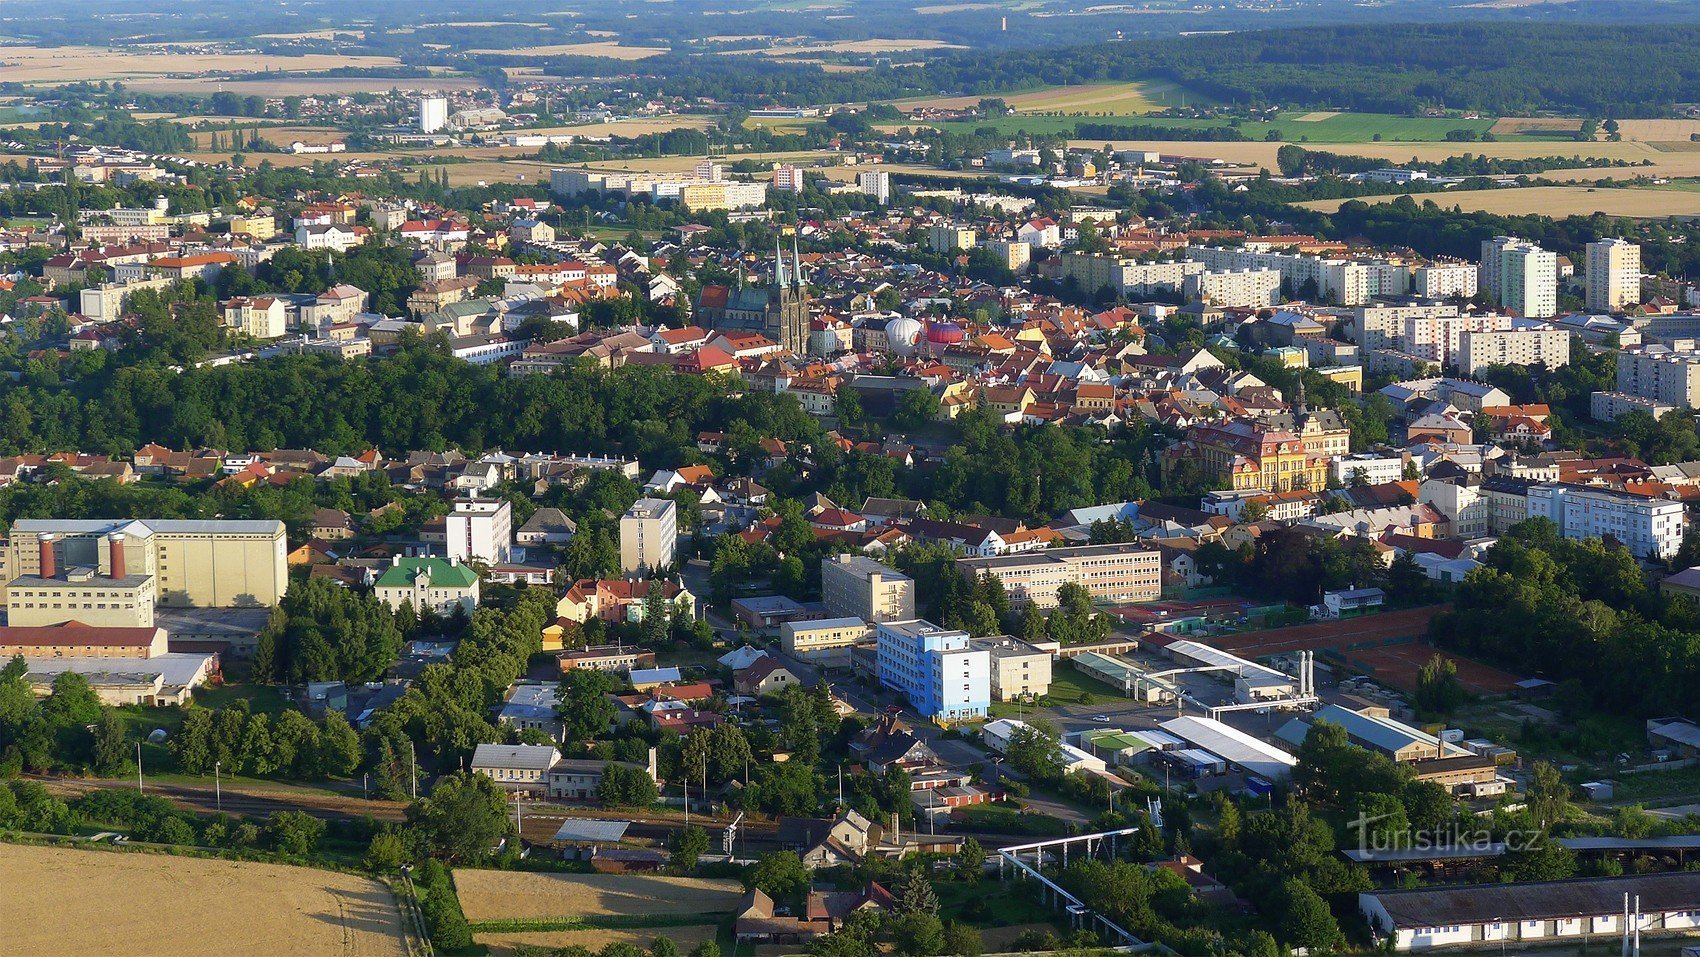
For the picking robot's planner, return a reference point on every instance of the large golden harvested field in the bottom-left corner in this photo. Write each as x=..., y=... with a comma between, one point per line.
x=91, y=902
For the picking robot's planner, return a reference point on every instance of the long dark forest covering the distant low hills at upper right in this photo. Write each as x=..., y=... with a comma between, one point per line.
x=1512, y=69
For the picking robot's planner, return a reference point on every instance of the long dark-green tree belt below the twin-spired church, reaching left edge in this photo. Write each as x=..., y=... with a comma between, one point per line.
x=417, y=399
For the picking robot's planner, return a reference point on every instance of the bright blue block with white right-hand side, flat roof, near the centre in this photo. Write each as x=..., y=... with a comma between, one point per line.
x=936, y=669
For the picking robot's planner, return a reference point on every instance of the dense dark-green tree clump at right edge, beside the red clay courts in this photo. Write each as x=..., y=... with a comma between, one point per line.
x=1580, y=614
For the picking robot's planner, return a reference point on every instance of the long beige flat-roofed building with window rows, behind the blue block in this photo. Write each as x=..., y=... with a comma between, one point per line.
x=1109, y=574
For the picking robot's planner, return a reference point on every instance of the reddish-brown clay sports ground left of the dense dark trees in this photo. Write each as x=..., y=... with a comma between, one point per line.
x=1364, y=643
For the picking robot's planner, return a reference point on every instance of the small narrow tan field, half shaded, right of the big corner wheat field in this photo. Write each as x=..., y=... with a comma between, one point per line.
x=513, y=895
